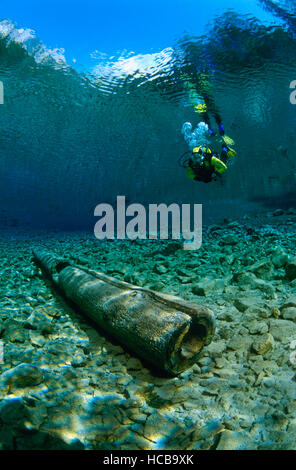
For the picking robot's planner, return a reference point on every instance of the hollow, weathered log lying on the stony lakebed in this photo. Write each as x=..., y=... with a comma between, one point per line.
x=164, y=330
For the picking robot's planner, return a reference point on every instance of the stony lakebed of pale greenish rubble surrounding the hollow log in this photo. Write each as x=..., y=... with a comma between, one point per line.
x=64, y=384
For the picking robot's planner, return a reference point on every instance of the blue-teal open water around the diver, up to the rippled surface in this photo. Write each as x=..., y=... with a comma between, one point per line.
x=69, y=141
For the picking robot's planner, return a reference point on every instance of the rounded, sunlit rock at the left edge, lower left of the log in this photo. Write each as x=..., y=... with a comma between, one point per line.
x=23, y=375
